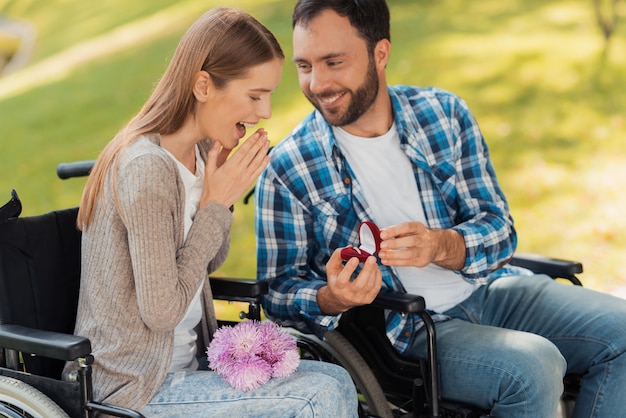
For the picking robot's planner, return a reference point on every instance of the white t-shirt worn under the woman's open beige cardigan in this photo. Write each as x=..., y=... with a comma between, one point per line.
x=184, y=356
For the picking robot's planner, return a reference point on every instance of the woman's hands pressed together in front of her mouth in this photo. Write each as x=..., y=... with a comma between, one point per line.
x=228, y=179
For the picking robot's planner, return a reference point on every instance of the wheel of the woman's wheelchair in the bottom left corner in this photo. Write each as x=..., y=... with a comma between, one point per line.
x=20, y=400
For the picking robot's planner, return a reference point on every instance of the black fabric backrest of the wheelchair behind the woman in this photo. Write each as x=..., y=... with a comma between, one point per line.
x=40, y=275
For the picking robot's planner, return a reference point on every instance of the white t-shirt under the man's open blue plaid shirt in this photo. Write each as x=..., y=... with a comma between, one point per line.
x=386, y=176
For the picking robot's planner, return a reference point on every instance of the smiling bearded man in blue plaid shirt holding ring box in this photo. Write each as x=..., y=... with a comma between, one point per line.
x=414, y=161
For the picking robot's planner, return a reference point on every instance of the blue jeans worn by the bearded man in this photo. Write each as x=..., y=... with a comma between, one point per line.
x=511, y=342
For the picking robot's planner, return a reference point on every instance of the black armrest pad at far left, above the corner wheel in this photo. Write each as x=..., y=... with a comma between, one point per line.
x=44, y=343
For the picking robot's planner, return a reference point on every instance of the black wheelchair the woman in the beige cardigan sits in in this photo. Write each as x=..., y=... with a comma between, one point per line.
x=39, y=281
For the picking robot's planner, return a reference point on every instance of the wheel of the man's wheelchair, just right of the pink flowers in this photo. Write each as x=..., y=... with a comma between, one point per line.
x=336, y=349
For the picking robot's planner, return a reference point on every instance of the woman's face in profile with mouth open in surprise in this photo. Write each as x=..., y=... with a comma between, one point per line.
x=240, y=104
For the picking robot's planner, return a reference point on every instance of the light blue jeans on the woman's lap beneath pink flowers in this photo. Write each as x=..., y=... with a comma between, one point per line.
x=316, y=389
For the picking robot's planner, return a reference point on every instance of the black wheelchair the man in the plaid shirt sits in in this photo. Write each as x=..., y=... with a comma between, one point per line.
x=394, y=386
